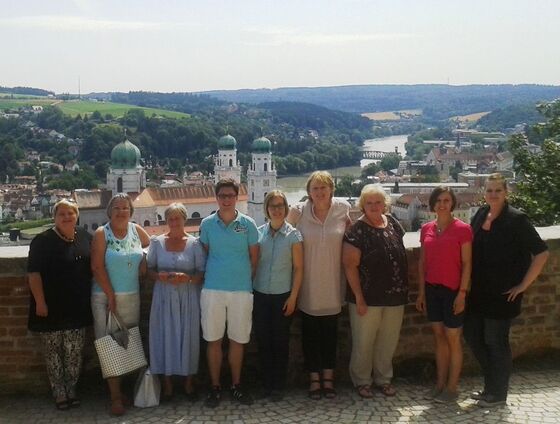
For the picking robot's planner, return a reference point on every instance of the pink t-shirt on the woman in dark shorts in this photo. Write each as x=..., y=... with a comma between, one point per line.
x=442, y=253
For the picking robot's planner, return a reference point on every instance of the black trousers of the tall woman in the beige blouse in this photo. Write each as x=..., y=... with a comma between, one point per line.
x=319, y=339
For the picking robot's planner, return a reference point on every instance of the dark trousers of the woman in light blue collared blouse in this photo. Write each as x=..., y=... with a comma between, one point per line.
x=272, y=329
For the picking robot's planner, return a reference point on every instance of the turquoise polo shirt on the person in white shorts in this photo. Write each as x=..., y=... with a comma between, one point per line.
x=228, y=266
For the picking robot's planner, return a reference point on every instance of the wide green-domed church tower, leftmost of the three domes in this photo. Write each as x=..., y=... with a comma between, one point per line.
x=126, y=175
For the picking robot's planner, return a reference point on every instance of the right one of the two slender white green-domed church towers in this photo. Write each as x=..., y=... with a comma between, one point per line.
x=261, y=178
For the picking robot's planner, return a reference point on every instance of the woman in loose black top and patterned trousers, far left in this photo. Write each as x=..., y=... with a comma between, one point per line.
x=60, y=281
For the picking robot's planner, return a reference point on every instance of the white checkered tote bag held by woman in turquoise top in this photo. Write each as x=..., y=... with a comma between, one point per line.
x=120, y=351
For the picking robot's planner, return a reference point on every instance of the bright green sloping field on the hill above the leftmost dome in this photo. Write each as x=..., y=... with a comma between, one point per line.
x=75, y=107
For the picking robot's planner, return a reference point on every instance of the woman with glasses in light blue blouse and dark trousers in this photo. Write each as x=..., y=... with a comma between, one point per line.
x=276, y=286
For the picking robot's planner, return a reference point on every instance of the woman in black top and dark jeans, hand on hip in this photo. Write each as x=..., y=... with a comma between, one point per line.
x=508, y=255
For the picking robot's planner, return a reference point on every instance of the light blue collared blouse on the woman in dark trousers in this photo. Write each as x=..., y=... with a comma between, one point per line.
x=274, y=271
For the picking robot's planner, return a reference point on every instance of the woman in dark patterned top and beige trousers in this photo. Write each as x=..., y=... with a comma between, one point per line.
x=375, y=262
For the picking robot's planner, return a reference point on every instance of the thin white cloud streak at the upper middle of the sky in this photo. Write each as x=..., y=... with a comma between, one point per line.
x=279, y=37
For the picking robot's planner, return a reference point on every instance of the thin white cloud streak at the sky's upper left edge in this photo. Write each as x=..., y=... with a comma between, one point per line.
x=78, y=23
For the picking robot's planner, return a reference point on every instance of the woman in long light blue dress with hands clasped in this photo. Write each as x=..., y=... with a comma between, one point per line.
x=176, y=263
